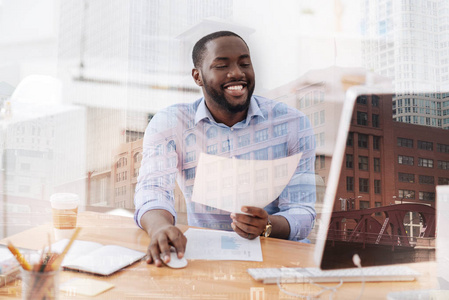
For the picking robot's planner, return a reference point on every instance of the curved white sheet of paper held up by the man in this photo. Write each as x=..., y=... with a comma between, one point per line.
x=230, y=183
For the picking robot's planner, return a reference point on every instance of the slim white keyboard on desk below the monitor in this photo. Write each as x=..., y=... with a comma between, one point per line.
x=300, y=275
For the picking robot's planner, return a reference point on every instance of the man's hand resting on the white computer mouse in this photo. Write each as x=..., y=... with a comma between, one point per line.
x=162, y=240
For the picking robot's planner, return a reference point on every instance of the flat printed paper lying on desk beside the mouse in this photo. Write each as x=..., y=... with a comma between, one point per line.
x=221, y=245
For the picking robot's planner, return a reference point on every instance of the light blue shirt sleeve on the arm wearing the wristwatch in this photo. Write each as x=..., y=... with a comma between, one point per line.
x=297, y=201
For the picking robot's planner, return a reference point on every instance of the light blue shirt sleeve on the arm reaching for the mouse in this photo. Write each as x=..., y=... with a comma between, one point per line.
x=157, y=173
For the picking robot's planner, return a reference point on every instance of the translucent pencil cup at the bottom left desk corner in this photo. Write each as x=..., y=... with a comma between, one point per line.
x=40, y=285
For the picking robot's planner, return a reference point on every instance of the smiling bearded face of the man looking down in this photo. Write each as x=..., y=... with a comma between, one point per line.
x=227, y=74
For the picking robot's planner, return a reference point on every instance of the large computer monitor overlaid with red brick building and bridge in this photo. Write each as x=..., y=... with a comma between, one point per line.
x=378, y=171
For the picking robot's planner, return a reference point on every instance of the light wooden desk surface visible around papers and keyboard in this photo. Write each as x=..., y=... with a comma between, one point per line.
x=201, y=279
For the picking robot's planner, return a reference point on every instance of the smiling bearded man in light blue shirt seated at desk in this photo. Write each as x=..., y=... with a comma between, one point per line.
x=229, y=121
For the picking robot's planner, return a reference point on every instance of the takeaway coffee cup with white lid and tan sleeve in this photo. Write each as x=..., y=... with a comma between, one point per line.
x=64, y=210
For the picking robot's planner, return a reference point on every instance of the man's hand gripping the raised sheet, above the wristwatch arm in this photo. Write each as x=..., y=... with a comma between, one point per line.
x=252, y=225
